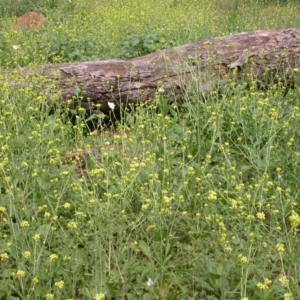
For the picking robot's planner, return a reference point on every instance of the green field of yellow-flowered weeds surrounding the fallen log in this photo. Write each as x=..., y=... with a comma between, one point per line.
x=192, y=201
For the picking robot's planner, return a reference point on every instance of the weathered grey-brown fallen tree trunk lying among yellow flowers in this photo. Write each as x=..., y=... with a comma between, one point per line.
x=265, y=56
